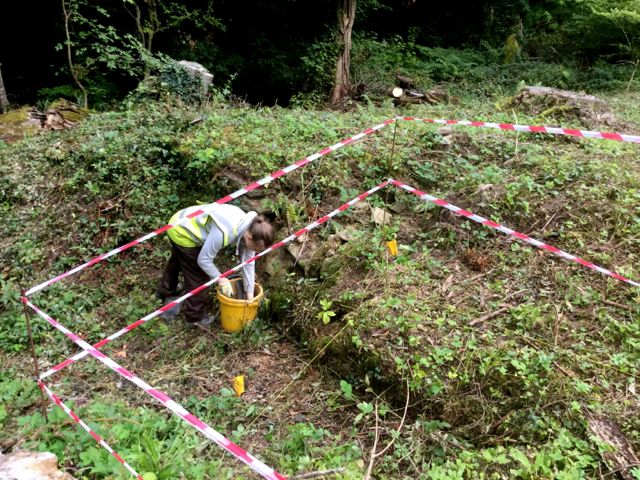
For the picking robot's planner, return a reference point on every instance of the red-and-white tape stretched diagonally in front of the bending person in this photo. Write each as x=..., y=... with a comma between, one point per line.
x=197, y=290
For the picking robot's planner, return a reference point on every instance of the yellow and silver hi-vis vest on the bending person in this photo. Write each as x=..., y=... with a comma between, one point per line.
x=194, y=231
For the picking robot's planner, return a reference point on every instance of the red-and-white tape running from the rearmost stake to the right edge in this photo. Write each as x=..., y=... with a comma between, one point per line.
x=620, y=137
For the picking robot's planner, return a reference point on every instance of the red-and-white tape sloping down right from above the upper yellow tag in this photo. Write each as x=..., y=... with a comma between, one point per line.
x=513, y=233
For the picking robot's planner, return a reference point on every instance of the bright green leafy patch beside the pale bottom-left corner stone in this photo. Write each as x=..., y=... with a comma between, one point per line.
x=149, y=440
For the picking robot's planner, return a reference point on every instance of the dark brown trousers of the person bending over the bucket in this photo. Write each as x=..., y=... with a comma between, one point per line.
x=185, y=260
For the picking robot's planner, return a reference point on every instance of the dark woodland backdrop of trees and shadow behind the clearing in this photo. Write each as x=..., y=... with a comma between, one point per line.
x=286, y=51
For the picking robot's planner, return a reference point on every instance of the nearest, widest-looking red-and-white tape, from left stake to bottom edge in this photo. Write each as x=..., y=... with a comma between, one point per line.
x=238, y=452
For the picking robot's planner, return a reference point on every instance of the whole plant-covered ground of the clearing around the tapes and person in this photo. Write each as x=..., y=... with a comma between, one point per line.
x=467, y=355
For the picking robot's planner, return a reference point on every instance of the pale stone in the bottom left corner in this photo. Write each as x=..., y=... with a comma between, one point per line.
x=25, y=465
